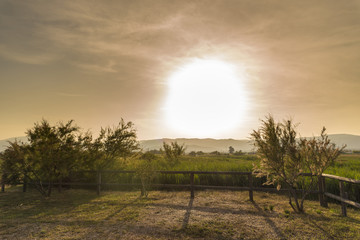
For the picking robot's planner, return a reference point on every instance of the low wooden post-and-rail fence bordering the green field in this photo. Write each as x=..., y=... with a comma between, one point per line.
x=343, y=198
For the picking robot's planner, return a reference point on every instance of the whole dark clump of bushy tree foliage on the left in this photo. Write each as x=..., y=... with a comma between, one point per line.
x=55, y=151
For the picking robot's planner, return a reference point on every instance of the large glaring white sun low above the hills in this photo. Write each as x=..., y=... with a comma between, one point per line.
x=206, y=98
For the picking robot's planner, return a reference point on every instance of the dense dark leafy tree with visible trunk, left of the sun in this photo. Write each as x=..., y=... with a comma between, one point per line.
x=52, y=153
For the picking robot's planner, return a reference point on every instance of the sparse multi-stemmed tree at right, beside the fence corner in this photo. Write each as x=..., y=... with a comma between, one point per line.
x=285, y=158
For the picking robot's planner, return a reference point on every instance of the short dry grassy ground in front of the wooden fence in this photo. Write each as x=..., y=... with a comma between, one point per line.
x=80, y=214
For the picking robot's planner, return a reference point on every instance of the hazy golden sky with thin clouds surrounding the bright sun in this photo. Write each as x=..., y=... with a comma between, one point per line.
x=99, y=61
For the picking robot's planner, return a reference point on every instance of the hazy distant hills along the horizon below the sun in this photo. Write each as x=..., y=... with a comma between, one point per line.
x=221, y=145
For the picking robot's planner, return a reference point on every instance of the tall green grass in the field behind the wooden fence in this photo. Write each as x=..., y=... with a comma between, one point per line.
x=345, y=166
